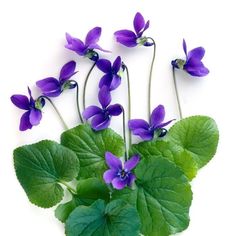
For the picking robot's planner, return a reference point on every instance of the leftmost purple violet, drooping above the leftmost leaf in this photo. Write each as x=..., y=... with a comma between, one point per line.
x=33, y=114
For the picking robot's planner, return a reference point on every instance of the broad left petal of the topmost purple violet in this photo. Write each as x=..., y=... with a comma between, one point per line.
x=126, y=37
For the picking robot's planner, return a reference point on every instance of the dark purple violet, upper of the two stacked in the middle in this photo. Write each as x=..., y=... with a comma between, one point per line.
x=111, y=79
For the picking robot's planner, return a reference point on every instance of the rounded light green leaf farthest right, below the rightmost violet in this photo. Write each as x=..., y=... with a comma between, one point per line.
x=198, y=136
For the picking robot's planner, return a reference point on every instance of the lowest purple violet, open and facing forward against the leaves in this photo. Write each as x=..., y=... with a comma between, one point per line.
x=117, y=175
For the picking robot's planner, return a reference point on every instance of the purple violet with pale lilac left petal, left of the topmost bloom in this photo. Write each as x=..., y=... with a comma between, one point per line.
x=86, y=48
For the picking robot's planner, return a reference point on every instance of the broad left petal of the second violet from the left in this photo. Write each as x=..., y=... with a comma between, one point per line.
x=49, y=86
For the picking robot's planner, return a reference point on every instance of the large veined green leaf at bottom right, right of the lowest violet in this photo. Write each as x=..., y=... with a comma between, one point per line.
x=162, y=197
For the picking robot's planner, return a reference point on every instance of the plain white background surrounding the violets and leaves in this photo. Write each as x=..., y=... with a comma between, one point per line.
x=32, y=47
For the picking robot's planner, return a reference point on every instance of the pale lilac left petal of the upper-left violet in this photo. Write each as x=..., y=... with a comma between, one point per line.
x=76, y=45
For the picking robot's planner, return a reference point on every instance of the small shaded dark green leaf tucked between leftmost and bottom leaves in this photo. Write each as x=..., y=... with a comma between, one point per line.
x=88, y=191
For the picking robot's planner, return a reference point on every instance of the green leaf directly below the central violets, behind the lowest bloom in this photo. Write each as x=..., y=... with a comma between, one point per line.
x=90, y=148
